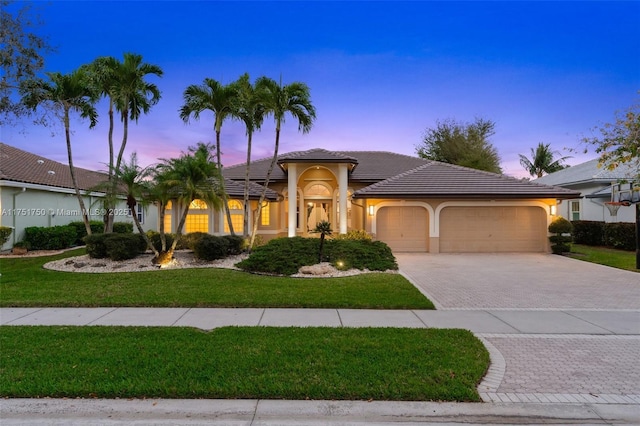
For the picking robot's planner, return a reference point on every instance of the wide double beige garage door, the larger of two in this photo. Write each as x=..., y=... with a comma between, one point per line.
x=493, y=229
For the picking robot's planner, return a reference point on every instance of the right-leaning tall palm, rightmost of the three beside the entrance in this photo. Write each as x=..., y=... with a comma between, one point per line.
x=279, y=100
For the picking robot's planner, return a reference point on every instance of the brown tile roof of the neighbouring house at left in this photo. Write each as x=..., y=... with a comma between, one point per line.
x=20, y=166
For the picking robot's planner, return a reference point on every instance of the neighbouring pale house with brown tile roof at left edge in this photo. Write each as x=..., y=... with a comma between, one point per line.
x=36, y=191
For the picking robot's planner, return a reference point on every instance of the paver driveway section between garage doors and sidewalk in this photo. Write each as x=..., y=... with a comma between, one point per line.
x=520, y=281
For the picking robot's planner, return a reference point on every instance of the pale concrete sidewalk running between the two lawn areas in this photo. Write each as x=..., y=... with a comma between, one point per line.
x=601, y=323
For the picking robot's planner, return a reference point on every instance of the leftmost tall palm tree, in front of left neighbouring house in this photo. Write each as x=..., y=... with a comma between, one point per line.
x=66, y=93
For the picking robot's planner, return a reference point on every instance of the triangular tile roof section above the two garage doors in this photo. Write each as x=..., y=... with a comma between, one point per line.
x=437, y=180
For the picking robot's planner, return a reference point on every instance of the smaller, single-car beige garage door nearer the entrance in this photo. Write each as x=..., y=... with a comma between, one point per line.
x=404, y=229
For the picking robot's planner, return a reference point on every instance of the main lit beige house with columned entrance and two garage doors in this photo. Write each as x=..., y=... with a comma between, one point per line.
x=410, y=203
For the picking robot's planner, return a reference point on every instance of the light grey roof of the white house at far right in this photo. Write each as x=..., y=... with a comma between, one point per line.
x=589, y=172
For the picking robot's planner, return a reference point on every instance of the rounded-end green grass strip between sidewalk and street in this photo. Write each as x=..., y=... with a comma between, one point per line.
x=241, y=362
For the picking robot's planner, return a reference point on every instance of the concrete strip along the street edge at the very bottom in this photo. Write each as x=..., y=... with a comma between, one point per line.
x=88, y=412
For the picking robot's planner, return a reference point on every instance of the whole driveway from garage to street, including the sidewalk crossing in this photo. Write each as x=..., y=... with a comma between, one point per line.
x=592, y=357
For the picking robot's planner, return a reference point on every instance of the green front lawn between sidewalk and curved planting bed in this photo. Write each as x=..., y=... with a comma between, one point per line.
x=25, y=283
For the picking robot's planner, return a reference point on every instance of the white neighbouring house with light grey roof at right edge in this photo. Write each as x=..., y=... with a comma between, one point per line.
x=594, y=185
